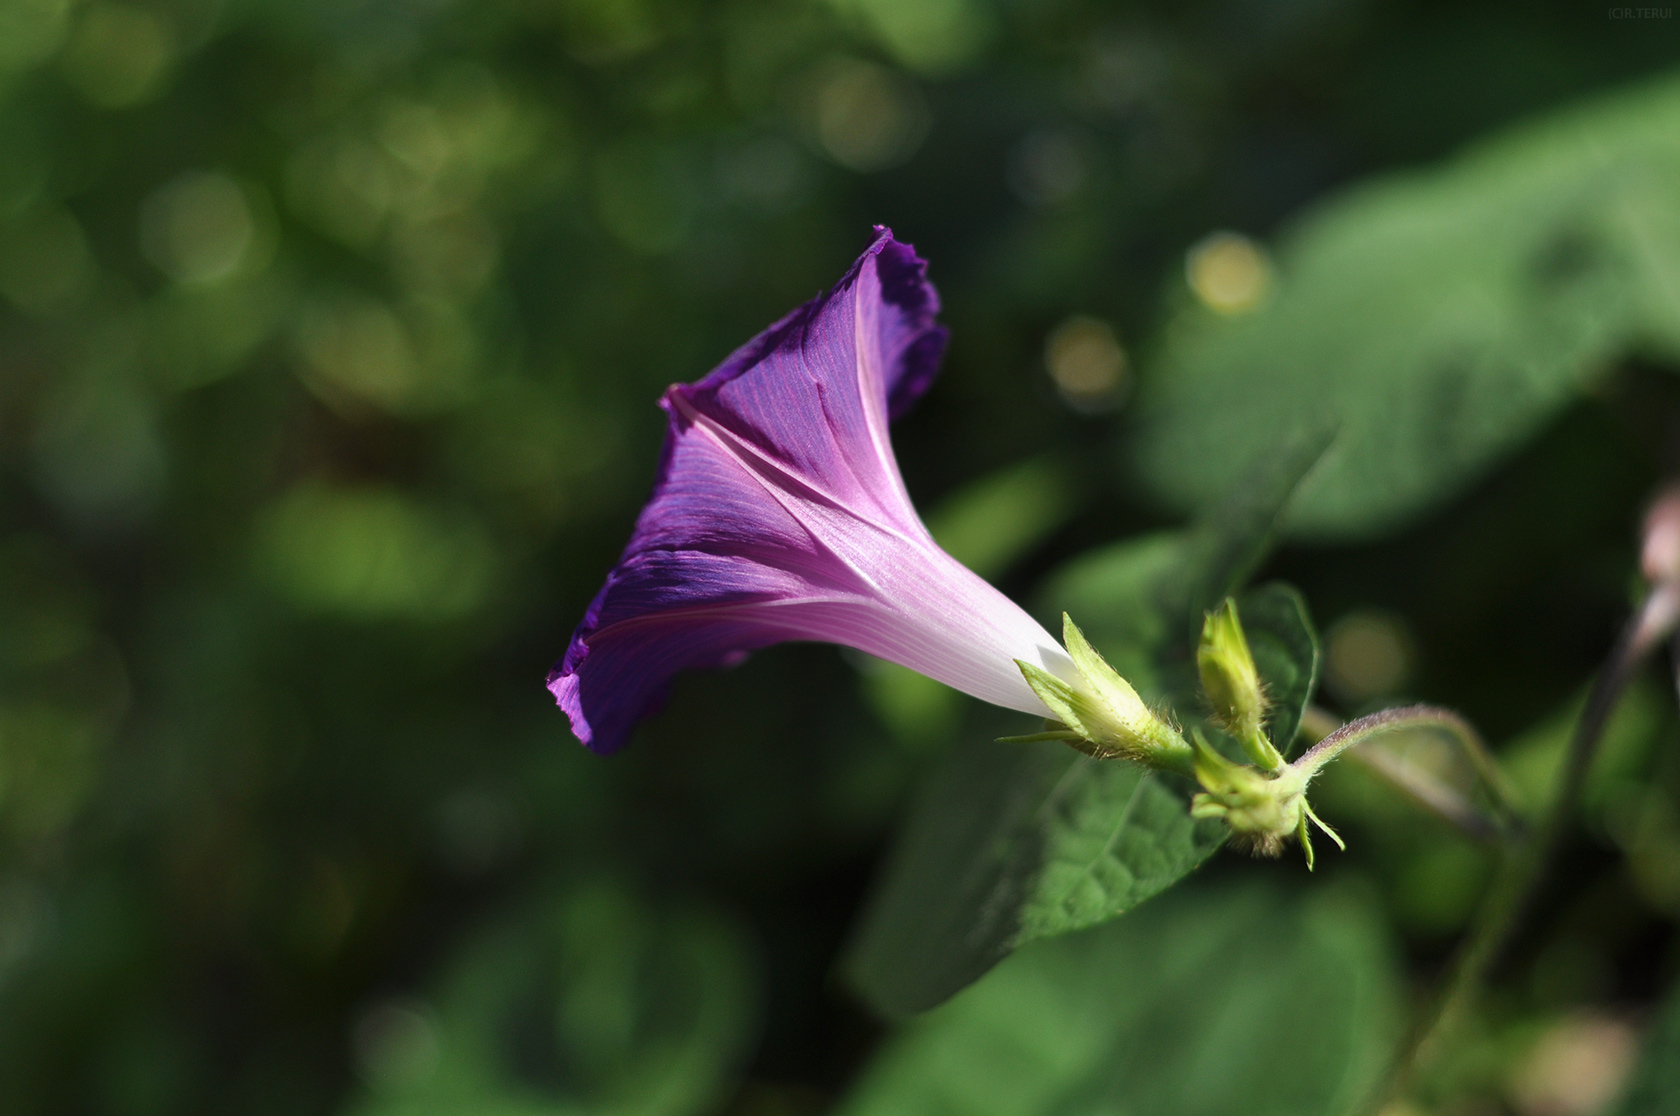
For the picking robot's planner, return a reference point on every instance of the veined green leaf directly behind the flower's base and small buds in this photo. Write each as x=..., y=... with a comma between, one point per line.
x=1016, y=843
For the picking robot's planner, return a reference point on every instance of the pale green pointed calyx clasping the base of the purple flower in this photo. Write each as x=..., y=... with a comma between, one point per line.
x=1103, y=713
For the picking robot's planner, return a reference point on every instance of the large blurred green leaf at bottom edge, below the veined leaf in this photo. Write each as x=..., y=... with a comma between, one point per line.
x=1210, y=1003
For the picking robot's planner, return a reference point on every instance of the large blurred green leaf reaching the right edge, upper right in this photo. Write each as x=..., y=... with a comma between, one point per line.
x=1439, y=318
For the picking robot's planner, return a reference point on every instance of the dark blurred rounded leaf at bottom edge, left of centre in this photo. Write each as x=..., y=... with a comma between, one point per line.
x=589, y=1006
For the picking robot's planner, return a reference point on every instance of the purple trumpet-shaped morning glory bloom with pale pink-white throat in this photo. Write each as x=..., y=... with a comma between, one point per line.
x=780, y=513
